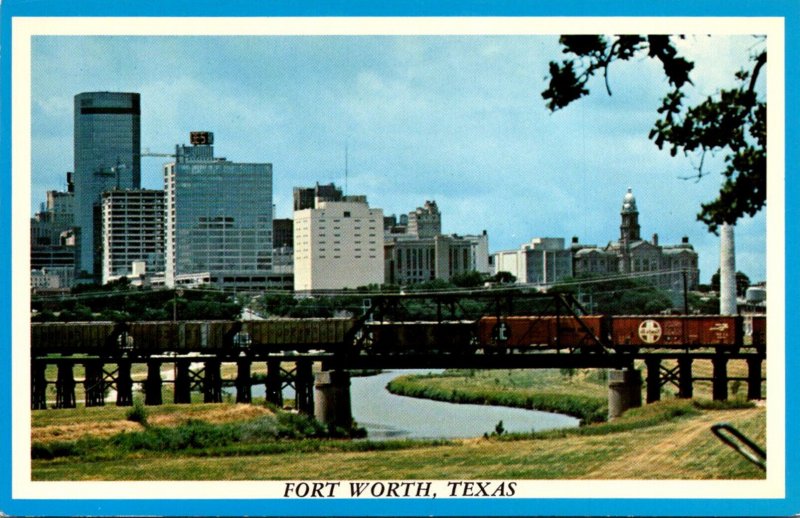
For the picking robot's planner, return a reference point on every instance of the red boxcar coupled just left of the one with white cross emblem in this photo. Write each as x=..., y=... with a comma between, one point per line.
x=521, y=332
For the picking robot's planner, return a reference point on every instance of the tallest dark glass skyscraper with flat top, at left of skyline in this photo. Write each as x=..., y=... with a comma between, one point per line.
x=107, y=156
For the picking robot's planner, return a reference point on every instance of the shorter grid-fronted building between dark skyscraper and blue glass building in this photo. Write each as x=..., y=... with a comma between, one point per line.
x=132, y=232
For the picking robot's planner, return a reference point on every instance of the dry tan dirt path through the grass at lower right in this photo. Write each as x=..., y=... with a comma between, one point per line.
x=668, y=452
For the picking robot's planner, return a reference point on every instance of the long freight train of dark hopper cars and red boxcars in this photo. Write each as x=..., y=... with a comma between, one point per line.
x=489, y=334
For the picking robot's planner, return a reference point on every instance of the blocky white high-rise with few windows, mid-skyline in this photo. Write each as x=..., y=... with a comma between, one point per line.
x=338, y=245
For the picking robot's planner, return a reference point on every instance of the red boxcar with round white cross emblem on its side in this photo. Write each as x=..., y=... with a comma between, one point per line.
x=676, y=331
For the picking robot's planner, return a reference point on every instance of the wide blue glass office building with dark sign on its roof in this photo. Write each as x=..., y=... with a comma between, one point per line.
x=218, y=219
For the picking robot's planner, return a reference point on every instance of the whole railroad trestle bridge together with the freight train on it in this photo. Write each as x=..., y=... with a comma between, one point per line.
x=472, y=330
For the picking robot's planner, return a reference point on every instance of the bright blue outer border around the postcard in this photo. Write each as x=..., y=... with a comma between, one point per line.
x=789, y=10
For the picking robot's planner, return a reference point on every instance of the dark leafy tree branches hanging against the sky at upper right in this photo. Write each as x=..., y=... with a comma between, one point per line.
x=731, y=122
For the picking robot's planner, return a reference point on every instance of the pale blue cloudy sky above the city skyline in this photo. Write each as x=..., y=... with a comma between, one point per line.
x=455, y=119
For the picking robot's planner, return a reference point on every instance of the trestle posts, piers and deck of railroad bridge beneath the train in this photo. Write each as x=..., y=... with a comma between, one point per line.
x=325, y=394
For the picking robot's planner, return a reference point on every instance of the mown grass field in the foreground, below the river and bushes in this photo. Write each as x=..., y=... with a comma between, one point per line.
x=670, y=440
